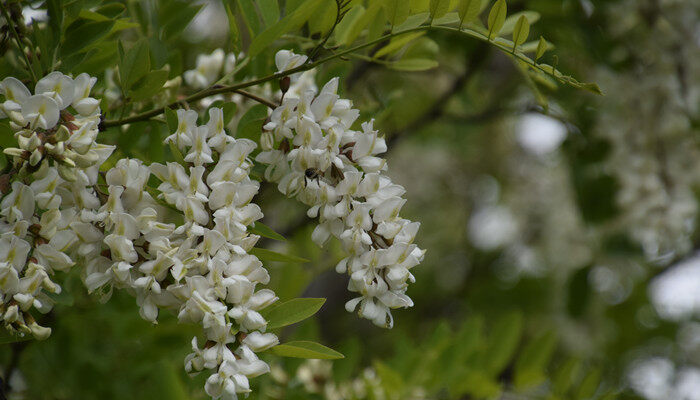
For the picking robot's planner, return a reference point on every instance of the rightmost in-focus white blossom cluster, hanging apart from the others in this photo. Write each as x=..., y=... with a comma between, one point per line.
x=314, y=155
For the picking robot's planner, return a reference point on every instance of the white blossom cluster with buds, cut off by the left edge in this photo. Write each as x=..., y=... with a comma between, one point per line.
x=48, y=188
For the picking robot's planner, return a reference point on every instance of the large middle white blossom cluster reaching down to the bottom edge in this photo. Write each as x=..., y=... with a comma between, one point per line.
x=201, y=267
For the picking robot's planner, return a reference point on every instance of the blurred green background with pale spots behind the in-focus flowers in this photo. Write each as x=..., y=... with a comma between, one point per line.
x=563, y=251
